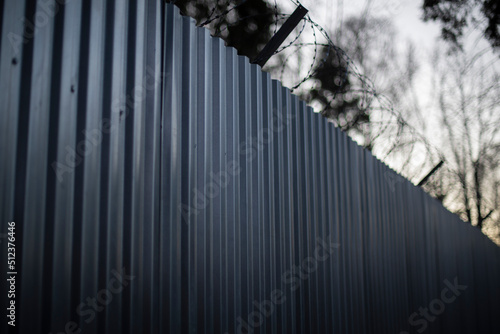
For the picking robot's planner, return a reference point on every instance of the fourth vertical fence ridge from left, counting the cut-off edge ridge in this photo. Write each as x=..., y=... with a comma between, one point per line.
x=92, y=165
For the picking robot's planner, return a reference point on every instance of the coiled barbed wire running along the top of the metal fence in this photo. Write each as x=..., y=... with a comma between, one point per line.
x=305, y=56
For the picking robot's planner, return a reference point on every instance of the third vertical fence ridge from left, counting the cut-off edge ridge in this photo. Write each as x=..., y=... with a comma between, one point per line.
x=66, y=109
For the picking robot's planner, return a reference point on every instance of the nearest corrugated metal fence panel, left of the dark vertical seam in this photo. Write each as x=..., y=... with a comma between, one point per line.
x=81, y=70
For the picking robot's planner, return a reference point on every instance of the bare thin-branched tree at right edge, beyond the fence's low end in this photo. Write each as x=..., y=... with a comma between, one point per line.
x=467, y=97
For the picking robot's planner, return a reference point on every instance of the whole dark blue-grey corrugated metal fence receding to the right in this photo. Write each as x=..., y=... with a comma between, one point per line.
x=162, y=184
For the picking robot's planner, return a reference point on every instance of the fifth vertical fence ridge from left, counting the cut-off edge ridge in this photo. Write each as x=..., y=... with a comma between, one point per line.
x=120, y=111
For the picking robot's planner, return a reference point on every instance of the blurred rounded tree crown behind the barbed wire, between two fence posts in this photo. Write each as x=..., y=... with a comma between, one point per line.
x=348, y=87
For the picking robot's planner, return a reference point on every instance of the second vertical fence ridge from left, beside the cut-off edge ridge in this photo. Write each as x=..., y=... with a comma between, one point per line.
x=34, y=223
